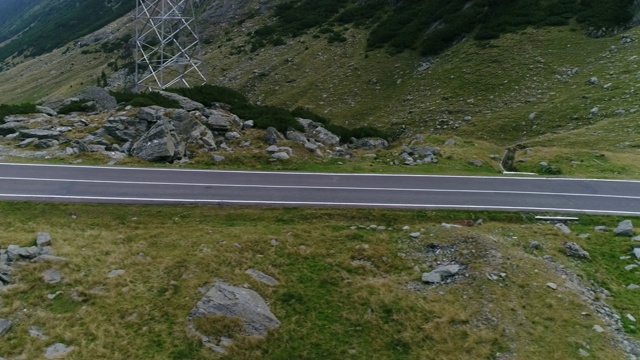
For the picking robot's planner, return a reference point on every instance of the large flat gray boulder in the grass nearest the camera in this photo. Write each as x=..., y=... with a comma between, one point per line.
x=231, y=301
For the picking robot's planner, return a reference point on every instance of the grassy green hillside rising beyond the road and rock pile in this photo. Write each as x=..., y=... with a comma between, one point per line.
x=529, y=86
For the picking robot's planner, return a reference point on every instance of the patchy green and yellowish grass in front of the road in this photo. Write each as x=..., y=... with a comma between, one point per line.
x=343, y=290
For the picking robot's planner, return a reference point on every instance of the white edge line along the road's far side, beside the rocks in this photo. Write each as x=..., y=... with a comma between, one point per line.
x=315, y=174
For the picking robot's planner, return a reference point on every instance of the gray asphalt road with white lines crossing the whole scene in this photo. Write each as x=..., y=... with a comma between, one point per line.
x=62, y=183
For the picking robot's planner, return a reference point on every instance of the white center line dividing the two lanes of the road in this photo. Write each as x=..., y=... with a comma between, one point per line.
x=300, y=187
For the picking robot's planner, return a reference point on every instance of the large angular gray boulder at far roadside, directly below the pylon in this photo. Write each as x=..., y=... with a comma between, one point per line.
x=160, y=143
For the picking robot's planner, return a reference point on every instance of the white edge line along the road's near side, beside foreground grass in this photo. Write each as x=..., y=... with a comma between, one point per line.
x=309, y=203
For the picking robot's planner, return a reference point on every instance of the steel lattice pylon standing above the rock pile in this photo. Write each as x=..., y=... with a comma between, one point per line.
x=167, y=44
